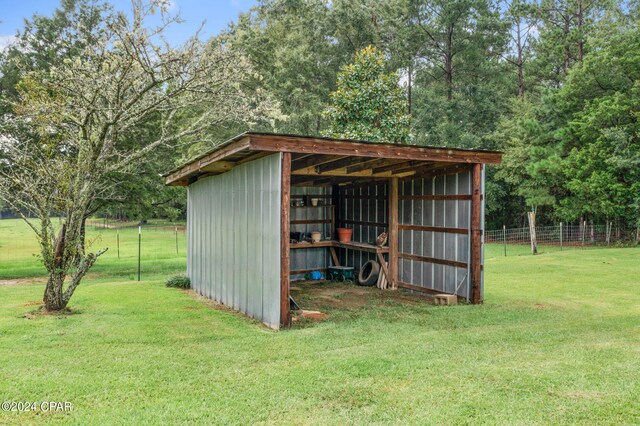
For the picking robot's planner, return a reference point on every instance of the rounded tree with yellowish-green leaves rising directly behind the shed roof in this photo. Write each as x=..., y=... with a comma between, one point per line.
x=368, y=103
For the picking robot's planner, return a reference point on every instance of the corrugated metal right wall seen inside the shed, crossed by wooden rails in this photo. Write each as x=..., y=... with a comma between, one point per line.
x=439, y=245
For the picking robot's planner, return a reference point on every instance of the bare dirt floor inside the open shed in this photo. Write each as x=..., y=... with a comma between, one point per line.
x=338, y=299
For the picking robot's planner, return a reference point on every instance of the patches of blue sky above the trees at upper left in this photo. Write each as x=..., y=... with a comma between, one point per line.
x=216, y=13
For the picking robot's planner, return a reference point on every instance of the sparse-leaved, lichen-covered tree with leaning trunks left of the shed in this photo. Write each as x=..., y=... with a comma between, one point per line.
x=69, y=142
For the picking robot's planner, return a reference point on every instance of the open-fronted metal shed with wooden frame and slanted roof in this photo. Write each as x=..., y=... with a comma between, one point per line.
x=241, y=210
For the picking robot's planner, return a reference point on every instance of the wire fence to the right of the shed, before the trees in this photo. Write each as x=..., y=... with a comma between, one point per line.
x=562, y=236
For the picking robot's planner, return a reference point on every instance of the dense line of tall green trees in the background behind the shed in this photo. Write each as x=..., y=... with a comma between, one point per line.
x=552, y=83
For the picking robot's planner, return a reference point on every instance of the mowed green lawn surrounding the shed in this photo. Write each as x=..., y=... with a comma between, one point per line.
x=557, y=342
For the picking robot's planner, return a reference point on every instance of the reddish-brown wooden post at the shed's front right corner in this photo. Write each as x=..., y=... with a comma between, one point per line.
x=476, y=234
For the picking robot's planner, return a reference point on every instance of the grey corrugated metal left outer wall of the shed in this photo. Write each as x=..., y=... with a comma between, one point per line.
x=233, y=238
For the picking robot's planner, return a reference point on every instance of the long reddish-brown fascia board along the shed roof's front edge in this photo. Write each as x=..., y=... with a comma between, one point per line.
x=275, y=143
